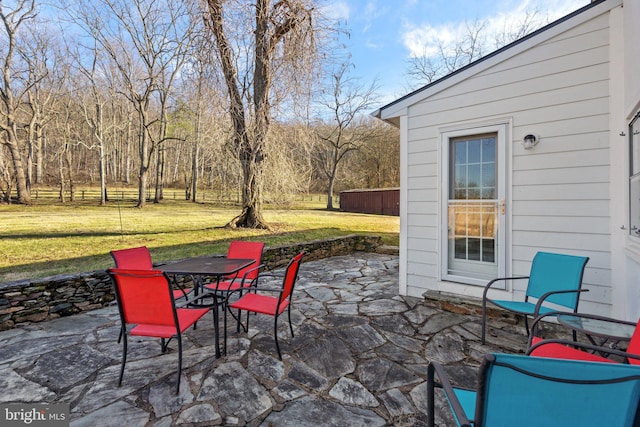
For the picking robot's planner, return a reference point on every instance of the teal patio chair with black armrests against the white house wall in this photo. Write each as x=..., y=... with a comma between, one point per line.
x=554, y=278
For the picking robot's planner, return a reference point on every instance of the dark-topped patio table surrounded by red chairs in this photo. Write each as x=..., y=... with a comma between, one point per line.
x=208, y=266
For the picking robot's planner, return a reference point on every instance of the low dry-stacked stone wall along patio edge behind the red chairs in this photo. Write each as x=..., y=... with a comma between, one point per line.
x=47, y=298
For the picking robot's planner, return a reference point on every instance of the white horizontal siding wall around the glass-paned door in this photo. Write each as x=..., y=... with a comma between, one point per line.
x=559, y=201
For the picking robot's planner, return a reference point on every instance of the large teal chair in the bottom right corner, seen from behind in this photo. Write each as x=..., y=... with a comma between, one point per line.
x=518, y=390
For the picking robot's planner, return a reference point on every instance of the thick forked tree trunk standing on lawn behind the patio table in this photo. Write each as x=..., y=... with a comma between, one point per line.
x=274, y=22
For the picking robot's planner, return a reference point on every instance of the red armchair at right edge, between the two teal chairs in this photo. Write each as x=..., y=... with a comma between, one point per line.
x=575, y=350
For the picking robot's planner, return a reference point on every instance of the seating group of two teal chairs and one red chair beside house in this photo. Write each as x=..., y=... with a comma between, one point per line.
x=558, y=382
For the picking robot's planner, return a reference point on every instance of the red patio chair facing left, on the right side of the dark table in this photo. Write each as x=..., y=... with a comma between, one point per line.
x=255, y=302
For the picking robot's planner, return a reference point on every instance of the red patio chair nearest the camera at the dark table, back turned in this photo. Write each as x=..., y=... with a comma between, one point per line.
x=147, y=308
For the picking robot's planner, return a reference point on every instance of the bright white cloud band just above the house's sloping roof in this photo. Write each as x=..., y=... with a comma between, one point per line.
x=425, y=40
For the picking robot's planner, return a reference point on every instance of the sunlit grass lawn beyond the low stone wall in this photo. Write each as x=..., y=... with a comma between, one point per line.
x=52, y=238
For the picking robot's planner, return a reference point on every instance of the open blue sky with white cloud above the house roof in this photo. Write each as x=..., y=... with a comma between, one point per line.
x=385, y=33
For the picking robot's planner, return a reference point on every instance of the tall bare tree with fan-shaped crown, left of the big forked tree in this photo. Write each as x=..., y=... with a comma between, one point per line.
x=144, y=39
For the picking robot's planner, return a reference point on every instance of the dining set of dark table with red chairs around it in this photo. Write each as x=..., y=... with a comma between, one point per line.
x=152, y=303
